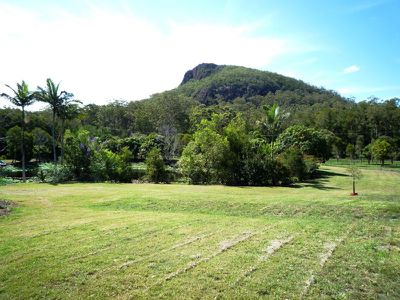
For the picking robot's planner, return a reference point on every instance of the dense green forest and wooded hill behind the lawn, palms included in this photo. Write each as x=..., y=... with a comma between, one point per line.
x=222, y=124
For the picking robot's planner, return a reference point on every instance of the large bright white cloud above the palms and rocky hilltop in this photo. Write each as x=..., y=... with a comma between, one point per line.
x=103, y=54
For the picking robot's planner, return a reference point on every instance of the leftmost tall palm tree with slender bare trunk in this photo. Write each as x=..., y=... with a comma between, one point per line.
x=22, y=97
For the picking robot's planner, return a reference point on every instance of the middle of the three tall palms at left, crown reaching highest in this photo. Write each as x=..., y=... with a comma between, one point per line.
x=56, y=100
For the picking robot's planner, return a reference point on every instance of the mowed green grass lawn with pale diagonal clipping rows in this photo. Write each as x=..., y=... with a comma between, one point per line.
x=126, y=241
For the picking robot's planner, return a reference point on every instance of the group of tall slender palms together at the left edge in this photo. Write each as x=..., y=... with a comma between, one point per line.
x=61, y=103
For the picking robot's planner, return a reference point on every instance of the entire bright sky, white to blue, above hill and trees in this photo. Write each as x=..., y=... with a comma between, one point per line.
x=105, y=50
